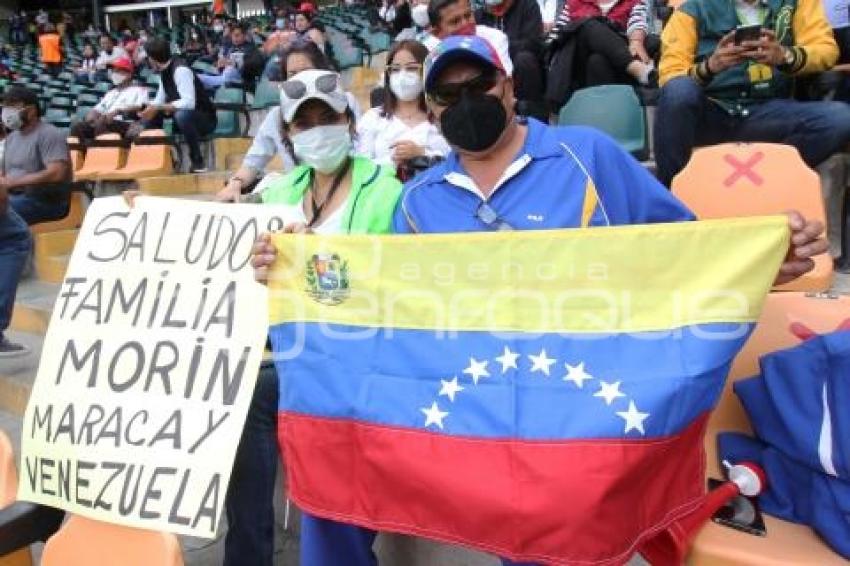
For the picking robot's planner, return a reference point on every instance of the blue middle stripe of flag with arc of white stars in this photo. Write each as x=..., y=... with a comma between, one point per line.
x=478, y=384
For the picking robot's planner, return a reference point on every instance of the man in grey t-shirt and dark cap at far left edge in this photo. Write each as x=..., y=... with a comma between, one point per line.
x=36, y=161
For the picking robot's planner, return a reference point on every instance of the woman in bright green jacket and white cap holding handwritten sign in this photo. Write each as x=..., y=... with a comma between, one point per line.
x=330, y=192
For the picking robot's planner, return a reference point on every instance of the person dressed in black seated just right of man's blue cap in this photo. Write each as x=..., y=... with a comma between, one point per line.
x=522, y=23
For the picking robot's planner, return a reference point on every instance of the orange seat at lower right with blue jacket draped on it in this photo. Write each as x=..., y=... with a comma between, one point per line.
x=786, y=319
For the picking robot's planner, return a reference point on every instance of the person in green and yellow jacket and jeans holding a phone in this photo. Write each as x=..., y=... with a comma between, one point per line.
x=715, y=91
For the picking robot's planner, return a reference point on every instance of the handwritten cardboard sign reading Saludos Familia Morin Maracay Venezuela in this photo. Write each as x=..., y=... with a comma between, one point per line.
x=148, y=365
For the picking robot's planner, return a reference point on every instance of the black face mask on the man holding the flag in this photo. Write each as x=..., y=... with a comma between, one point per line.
x=475, y=123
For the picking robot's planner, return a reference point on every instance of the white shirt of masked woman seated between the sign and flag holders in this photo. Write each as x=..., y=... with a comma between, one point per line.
x=375, y=135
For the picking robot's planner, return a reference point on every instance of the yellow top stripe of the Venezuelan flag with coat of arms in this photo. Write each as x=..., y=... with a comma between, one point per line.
x=618, y=279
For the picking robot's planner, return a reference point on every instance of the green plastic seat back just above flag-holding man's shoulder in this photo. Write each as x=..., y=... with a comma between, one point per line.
x=614, y=109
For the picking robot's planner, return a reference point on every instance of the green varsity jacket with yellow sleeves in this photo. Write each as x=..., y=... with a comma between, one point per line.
x=693, y=31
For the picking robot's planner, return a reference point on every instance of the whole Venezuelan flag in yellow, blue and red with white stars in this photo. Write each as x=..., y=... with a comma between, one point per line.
x=538, y=395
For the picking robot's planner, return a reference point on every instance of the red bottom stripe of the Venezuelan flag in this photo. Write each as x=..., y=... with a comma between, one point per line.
x=567, y=502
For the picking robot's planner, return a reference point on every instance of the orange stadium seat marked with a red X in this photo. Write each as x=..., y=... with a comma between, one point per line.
x=736, y=179
